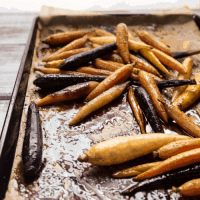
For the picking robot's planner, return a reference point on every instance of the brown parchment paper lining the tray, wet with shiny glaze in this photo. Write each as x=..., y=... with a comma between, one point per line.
x=62, y=176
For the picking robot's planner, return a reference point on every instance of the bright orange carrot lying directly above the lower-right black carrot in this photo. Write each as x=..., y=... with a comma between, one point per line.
x=175, y=162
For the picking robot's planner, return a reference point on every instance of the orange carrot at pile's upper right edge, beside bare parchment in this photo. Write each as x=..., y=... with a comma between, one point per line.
x=151, y=40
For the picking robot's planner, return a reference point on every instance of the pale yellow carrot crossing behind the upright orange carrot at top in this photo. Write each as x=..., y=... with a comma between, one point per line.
x=133, y=45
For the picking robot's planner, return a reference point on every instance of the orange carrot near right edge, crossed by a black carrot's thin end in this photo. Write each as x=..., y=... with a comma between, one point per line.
x=187, y=64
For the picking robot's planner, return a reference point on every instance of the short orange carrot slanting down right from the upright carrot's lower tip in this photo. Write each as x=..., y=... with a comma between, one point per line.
x=141, y=64
